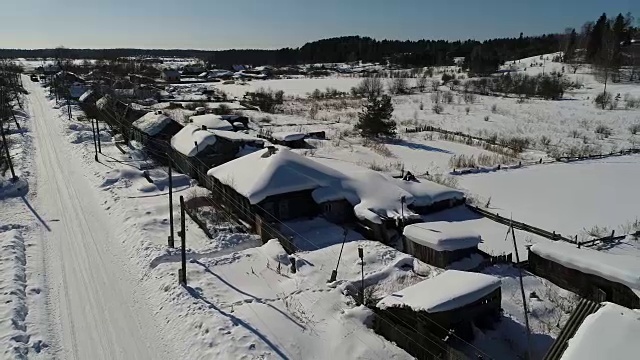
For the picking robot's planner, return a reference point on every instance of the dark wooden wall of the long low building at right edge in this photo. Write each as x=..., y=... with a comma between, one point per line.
x=588, y=286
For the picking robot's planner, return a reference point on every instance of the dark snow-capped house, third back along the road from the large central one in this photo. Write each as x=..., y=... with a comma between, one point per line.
x=154, y=131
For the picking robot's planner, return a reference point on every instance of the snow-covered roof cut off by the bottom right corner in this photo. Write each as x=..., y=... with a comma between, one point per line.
x=611, y=332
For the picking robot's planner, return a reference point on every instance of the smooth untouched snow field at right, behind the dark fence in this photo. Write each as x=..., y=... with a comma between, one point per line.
x=567, y=198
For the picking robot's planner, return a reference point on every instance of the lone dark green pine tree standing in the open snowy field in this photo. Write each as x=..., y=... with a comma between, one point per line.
x=375, y=119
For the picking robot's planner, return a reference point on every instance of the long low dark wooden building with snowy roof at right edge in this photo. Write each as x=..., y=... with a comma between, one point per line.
x=594, y=275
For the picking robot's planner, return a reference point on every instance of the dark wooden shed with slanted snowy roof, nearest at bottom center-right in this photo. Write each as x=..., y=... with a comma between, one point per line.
x=419, y=318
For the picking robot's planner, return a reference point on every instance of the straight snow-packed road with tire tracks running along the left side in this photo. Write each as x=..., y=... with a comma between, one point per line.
x=95, y=308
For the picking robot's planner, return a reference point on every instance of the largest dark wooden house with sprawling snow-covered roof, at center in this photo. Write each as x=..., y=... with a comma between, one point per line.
x=281, y=185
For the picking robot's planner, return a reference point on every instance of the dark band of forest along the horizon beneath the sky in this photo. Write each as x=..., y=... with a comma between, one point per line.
x=479, y=56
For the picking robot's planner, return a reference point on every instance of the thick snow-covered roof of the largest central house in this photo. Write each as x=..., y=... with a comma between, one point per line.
x=374, y=195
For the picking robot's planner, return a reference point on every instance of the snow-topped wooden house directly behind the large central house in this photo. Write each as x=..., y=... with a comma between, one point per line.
x=197, y=149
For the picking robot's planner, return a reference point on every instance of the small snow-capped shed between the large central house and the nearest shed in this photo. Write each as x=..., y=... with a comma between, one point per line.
x=439, y=243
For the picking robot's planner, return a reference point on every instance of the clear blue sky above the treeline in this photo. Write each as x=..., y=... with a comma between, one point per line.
x=212, y=24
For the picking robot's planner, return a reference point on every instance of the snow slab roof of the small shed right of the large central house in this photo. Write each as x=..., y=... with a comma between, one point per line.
x=441, y=236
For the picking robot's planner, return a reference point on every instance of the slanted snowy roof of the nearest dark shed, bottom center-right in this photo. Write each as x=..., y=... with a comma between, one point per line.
x=450, y=290
